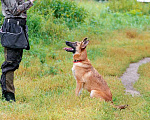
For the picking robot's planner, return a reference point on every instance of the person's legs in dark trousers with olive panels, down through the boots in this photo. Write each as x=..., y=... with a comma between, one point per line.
x=12, y=60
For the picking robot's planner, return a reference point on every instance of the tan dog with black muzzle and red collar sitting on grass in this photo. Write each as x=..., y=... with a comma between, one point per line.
x=86, y=76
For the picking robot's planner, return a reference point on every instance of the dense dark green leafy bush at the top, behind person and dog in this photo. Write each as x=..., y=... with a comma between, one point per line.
x=71, y=13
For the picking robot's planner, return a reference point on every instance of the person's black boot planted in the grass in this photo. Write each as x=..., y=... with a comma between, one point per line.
x=8, y=96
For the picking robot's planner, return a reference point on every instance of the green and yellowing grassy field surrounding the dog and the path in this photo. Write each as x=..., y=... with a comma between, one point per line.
x=45, y=86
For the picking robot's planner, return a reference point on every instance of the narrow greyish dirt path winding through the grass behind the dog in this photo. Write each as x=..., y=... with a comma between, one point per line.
x=131, y=76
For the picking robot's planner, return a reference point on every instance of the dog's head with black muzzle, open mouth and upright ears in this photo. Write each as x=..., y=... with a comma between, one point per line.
x=76, y=47
